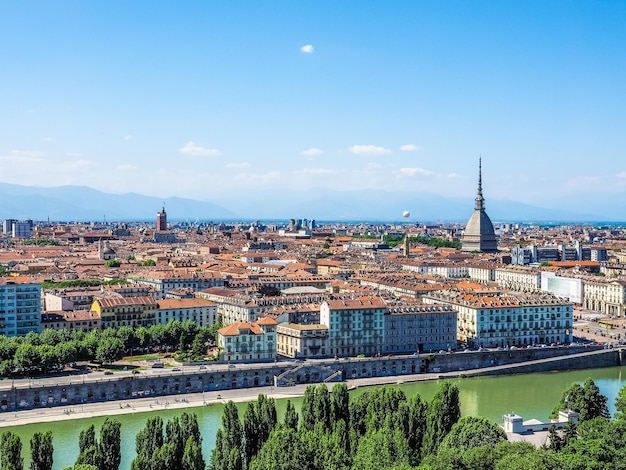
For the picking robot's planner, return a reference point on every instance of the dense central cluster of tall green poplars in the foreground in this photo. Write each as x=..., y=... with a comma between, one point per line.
x=380, y=428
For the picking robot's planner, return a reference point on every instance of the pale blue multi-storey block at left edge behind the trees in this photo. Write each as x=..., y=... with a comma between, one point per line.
x=20, y=306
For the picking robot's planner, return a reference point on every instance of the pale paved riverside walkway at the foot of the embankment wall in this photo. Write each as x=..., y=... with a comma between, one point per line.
x=190, y=400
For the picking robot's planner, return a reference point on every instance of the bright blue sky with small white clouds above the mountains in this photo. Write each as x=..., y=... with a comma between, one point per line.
x=214, y=99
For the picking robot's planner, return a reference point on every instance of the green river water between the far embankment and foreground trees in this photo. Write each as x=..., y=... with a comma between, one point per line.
x=528, y=395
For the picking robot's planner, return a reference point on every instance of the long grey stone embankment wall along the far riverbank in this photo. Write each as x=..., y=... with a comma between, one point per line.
x=64, y=391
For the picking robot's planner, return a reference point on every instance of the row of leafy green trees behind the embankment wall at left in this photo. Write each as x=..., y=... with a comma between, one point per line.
x=52, y=349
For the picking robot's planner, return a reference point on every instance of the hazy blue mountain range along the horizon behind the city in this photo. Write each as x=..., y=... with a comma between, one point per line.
x=80, y=203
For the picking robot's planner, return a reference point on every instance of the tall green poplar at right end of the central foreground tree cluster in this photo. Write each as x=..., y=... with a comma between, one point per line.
x=443, y=412
